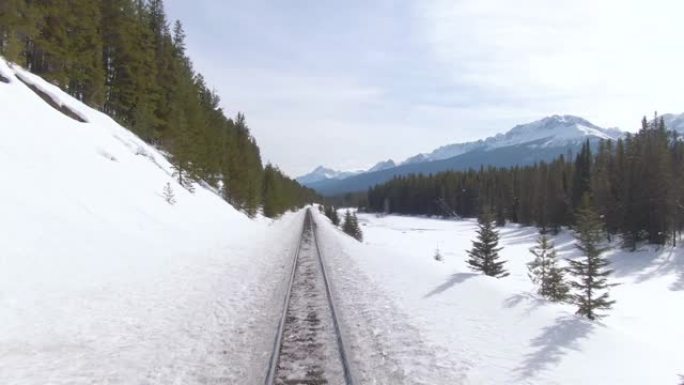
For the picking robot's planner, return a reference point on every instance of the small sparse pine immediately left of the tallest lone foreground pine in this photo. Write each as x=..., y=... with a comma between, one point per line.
x=544, y=271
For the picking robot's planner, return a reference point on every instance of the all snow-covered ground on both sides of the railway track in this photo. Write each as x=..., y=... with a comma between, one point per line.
x=102, y=281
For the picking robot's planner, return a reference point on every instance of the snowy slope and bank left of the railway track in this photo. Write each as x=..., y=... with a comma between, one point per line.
x=104, y=282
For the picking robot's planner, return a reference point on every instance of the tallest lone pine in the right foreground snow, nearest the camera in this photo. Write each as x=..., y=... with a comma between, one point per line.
x=591, y=270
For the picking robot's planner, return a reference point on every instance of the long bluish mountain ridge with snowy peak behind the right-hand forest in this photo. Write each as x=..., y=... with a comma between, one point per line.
x=544, y=139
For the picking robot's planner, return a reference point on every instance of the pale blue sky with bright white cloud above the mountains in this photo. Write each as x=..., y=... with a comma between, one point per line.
x=348, y=84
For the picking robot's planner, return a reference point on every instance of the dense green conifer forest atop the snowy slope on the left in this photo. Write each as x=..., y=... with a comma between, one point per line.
x=124, y=58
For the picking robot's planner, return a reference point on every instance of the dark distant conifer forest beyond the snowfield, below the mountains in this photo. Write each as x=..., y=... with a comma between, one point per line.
x=636, y=184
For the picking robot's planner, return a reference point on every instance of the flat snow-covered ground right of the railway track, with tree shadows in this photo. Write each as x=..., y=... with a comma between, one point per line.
x=430, y=322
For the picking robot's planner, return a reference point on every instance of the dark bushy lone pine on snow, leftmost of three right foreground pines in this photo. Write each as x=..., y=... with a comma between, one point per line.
x=484, y=256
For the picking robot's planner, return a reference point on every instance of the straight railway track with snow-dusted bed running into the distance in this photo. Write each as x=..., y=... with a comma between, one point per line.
x=308, y=349
